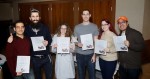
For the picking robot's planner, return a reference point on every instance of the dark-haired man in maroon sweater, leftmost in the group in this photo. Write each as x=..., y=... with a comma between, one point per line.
x=18, y=45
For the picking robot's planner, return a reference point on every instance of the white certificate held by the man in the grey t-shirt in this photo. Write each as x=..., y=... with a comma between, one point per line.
x=87, y=41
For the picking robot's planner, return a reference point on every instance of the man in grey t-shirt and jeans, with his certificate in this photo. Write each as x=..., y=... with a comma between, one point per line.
x=85, y=57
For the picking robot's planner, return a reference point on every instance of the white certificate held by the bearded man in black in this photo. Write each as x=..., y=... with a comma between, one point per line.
x=37, y=43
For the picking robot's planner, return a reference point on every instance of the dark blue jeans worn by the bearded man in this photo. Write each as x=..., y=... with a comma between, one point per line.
x=42, y=62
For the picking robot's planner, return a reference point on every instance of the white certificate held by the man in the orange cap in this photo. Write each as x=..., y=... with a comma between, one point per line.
x=119, y=43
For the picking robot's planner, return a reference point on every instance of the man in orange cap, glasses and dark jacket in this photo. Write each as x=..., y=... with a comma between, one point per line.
x=130, y=61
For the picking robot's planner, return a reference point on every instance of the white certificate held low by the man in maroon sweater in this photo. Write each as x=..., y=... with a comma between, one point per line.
x=23, y=64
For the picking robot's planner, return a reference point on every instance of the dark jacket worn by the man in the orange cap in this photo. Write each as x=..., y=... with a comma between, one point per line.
x=132, y=58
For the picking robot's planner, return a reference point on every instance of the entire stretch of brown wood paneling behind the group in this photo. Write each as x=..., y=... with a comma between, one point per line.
x=54, y=13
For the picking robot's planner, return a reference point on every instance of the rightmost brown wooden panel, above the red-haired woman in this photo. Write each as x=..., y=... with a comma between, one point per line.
x=102, y=10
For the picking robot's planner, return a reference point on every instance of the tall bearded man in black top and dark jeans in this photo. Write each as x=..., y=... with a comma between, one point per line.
x=40, y=59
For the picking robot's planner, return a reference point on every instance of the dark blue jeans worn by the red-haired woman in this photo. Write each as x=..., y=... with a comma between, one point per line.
x=107, y=68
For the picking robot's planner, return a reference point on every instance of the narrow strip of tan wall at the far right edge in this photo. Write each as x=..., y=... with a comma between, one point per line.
x=146, y=21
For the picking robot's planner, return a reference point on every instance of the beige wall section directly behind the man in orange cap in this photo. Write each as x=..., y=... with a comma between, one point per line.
x=134, y=10
